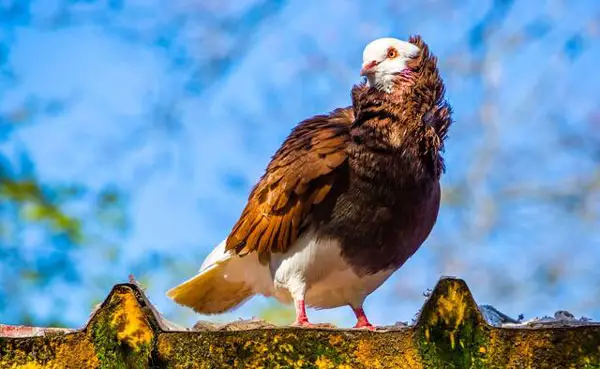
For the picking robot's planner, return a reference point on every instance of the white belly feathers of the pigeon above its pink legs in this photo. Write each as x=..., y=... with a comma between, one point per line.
x=313, y=268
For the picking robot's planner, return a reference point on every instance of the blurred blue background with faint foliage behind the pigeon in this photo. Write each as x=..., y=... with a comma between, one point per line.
x=131, y=133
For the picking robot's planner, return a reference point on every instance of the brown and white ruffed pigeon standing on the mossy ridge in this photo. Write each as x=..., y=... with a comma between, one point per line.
x=346, y=200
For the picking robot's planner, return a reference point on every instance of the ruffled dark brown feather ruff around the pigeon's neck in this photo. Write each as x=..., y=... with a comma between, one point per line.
x=414, y=117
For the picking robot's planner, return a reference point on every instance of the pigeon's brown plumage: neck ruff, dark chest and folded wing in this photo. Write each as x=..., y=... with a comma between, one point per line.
x=367, y=175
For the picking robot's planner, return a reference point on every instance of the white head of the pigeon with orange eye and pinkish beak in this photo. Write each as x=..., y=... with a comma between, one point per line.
x=383, y=59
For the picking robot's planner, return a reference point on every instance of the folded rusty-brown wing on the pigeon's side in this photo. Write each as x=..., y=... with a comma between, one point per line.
x=300, y=175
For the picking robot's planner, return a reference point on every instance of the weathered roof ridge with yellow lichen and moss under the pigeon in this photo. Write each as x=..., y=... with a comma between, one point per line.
x=126, y=332
